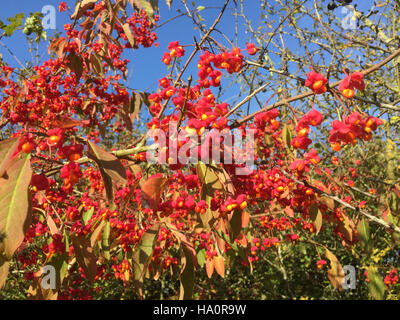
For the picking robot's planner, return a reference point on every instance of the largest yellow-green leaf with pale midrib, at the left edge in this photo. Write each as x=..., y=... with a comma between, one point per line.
x=15, y=204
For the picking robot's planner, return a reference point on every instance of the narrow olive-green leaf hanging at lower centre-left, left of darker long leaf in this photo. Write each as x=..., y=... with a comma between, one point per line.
x=142, y=256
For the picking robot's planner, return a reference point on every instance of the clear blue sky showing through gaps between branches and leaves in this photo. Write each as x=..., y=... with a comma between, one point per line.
x=146, y=66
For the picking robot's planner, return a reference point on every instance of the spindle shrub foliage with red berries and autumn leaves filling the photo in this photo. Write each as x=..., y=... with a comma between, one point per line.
x=79, y=189
